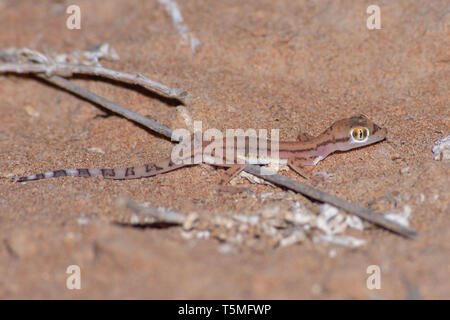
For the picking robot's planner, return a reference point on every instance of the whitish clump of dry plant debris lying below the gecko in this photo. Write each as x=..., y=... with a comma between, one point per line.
x=273, y=226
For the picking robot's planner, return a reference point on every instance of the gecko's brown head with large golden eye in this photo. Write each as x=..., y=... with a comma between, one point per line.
x=356, y=132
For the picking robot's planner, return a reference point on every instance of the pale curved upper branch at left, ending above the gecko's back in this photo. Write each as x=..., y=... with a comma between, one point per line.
x=67, y=70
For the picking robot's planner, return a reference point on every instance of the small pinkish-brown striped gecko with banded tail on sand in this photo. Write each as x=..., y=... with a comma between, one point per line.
x=343, y=135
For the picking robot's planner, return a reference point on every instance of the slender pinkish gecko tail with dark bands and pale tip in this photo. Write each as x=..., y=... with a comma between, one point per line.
x=147, y=170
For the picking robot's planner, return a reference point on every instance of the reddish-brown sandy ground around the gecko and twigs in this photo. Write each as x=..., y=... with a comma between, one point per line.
x=292, y=65
